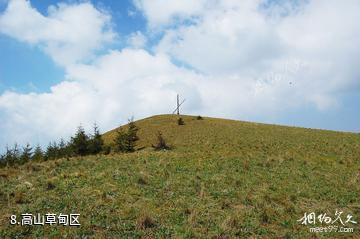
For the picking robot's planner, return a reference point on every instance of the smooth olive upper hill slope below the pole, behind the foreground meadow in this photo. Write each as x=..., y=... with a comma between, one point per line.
x=237, y=137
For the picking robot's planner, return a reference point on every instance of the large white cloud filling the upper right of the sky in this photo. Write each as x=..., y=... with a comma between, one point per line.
x=239, y=38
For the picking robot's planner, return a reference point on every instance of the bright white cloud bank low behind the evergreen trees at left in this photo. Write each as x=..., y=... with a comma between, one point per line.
x=112, y=89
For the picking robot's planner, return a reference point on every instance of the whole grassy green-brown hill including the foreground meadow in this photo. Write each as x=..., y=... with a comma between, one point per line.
x=222, y=179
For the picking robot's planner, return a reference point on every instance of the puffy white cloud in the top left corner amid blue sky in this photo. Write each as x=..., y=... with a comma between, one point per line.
x=69, y=34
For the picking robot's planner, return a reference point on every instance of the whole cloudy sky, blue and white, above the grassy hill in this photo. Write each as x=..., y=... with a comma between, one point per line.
x=65, y=63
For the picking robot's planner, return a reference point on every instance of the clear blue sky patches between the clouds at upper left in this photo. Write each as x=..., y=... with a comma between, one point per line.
x=42, y=71
